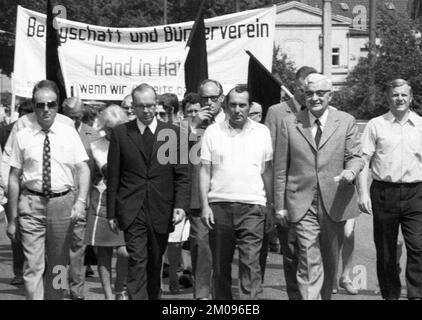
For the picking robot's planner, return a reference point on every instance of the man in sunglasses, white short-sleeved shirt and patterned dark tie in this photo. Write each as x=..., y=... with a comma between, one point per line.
x=45, y=157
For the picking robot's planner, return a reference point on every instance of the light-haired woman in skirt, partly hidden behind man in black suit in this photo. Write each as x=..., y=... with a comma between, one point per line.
x=98, y=232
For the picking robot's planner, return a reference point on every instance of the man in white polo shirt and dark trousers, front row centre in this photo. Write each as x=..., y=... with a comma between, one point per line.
x=235, y=183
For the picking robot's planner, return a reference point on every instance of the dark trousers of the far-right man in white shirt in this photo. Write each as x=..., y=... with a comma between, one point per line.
x=397, y=205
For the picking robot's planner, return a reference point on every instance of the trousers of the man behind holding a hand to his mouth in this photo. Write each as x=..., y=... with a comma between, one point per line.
x=200, y=255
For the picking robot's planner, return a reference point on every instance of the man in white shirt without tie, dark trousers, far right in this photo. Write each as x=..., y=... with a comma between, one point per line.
x=392, y=144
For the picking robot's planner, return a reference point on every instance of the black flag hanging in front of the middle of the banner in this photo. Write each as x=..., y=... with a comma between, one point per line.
x=196, y=65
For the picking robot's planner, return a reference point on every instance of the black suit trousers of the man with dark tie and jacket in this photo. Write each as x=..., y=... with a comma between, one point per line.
x=145, y=248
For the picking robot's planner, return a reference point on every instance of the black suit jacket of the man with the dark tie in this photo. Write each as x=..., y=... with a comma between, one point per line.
x=135, y=181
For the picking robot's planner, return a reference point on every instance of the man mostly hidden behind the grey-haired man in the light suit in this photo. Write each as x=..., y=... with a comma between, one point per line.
x=275, y=115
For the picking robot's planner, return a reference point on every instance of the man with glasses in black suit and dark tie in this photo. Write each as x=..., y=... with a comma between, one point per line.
x=146, y=194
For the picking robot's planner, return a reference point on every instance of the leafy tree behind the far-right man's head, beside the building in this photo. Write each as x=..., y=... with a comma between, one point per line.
x=398, y=56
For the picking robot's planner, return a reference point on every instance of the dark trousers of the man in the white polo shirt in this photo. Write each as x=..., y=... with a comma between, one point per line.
x=242, y=225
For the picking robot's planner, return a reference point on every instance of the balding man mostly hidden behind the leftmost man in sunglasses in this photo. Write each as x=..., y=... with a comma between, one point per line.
x=73, y=108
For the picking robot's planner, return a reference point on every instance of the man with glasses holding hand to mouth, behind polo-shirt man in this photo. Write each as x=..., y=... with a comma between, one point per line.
x=211, y=99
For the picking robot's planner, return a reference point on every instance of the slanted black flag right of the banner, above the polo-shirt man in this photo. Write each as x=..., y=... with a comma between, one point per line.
x=263, y=87
